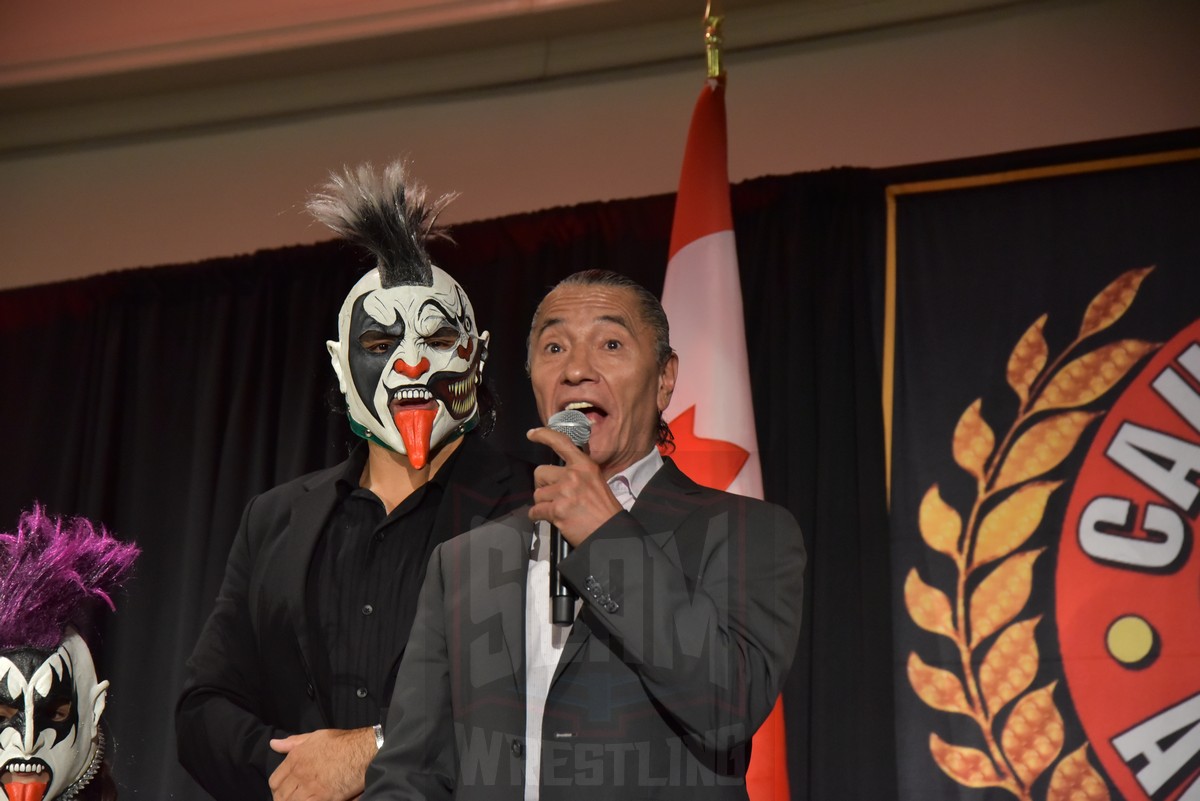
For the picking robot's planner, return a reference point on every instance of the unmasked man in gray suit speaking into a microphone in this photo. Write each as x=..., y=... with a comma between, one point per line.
x=689, y=612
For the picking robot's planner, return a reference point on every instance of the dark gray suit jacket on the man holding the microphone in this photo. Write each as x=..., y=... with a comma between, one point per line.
x=691, y=622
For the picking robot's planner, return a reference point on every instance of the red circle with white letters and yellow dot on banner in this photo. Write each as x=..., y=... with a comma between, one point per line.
x=1129, y=581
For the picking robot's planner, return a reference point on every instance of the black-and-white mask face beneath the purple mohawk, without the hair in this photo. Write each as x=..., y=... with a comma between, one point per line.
x=50, y=715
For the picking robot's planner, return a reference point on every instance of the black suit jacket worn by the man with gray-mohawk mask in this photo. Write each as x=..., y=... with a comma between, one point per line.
x=256, y=673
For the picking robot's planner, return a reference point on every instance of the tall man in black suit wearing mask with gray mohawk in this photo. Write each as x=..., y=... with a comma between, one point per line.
x=293, y=671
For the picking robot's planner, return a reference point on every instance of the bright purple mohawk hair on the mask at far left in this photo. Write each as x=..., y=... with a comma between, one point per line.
x=50, y=570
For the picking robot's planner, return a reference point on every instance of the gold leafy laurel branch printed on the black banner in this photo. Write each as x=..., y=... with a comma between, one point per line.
x=1010, y=503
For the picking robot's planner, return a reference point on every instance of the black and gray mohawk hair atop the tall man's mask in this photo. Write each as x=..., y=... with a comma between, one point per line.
x=387, y=216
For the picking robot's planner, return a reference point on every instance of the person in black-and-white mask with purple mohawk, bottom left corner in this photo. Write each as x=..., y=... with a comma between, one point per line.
x=53, y=571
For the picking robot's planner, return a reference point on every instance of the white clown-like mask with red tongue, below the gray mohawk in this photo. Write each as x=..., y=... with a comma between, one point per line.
x=409, y=360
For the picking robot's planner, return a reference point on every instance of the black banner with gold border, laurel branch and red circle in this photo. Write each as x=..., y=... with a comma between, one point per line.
x=1043, y=483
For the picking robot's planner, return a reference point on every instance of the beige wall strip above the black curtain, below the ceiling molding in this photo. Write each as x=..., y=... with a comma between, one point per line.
x=1027, y=76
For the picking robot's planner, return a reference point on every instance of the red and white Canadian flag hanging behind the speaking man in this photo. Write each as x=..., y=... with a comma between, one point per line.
x=713, y=424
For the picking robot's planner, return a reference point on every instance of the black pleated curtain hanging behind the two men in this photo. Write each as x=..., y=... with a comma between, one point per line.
x=159, y=401
